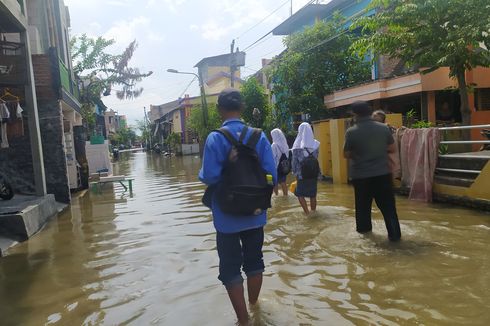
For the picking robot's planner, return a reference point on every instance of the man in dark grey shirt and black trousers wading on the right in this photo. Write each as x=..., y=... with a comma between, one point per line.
x=367, y=145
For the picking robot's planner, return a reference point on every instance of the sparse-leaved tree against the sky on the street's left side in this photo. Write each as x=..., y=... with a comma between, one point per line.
x=99, y=72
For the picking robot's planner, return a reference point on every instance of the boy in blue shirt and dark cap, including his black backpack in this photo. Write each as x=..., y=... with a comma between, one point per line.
x=240, y=172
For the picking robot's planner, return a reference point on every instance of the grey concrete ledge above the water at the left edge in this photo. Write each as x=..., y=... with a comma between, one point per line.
x=24, y=216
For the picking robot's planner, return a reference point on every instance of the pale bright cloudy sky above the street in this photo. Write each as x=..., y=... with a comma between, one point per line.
x=177, y=34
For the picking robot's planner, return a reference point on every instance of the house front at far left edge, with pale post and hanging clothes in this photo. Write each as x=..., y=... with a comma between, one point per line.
x=21, y=161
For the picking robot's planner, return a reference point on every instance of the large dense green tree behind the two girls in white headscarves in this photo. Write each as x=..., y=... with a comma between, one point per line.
x=316, y=63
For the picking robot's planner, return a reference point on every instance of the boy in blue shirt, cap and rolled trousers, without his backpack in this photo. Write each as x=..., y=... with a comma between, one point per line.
x=239, y=239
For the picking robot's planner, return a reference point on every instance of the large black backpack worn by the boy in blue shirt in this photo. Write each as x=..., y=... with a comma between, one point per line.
x=243, y=190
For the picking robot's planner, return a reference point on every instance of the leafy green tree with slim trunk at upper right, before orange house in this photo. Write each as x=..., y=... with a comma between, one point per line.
x=431, y=34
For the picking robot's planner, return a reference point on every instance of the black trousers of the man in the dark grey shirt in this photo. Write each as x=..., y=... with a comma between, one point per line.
x=381, y=189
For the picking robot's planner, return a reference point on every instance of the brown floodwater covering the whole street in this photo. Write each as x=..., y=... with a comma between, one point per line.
x=150, y=260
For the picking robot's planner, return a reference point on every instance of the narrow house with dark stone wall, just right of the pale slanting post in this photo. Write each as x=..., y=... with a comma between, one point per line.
x=57, y=96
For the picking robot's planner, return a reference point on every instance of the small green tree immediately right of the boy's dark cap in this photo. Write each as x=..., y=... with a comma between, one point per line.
x=254, y=97
